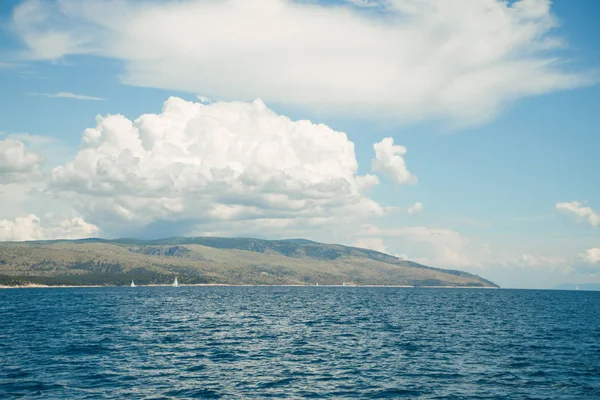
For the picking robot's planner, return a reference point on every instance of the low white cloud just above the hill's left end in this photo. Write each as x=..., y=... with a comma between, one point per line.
x=29, y=227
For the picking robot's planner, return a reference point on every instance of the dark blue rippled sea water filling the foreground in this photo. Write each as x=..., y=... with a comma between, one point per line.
x=298, y=342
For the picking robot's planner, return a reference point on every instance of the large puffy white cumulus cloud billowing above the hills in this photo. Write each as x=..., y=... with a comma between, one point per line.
x=225, y=161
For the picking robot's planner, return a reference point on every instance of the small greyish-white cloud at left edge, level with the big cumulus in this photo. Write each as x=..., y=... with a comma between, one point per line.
x=16, y=163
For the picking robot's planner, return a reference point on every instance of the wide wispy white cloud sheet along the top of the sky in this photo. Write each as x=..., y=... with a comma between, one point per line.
x=458, y=60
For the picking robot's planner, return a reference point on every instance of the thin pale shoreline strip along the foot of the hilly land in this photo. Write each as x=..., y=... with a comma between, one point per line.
x=37, y=286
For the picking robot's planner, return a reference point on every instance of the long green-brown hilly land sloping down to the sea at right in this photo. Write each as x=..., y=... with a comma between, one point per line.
x=213, y=260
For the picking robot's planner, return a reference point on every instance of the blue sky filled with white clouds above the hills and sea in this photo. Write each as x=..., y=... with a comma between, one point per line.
x=460, y=134
